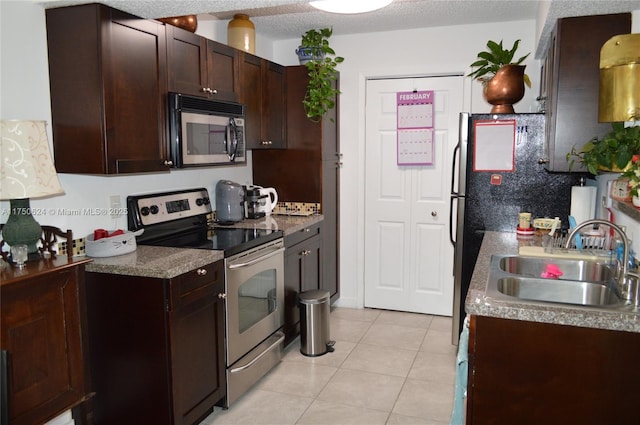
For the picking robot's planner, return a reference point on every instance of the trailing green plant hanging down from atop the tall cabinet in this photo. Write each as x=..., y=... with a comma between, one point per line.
x=321, y=61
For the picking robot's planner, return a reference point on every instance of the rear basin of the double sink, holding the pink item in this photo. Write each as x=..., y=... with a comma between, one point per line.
x=582, y=270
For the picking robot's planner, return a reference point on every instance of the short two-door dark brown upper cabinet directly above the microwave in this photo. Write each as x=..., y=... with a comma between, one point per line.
x=201, y=67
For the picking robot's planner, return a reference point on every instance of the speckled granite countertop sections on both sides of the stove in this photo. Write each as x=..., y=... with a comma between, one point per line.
x=167, y=263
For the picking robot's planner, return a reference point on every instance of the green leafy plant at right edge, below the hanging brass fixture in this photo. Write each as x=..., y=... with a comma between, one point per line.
x=611, y=153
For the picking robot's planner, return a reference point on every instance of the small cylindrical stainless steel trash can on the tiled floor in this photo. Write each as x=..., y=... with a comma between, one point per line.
x=314, y=323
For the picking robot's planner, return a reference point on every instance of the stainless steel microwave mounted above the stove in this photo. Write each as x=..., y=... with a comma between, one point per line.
x=205, y=132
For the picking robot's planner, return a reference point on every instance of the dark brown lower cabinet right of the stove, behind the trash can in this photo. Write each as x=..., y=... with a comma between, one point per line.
x=302, y=272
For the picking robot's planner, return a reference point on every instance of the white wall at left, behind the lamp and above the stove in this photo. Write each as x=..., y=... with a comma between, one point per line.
x=24, y=82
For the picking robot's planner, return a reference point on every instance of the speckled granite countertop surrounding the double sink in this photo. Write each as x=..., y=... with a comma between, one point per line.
x=479, y=304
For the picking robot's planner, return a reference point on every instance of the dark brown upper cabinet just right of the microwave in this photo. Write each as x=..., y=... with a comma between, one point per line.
x=263, y=93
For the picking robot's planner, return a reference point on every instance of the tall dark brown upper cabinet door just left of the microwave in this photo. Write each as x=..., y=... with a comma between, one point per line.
x=136, y=85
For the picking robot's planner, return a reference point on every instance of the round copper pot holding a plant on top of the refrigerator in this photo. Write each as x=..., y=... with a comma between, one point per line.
x=505, y=89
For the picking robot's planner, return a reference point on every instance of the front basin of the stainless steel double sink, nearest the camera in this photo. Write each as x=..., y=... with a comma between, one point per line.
x=558, y=291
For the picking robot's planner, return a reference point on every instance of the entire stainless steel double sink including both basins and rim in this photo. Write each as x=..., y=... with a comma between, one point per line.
x=582, y=282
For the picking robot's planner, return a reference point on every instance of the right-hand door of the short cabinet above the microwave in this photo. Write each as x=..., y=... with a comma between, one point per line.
x=223, y=72
